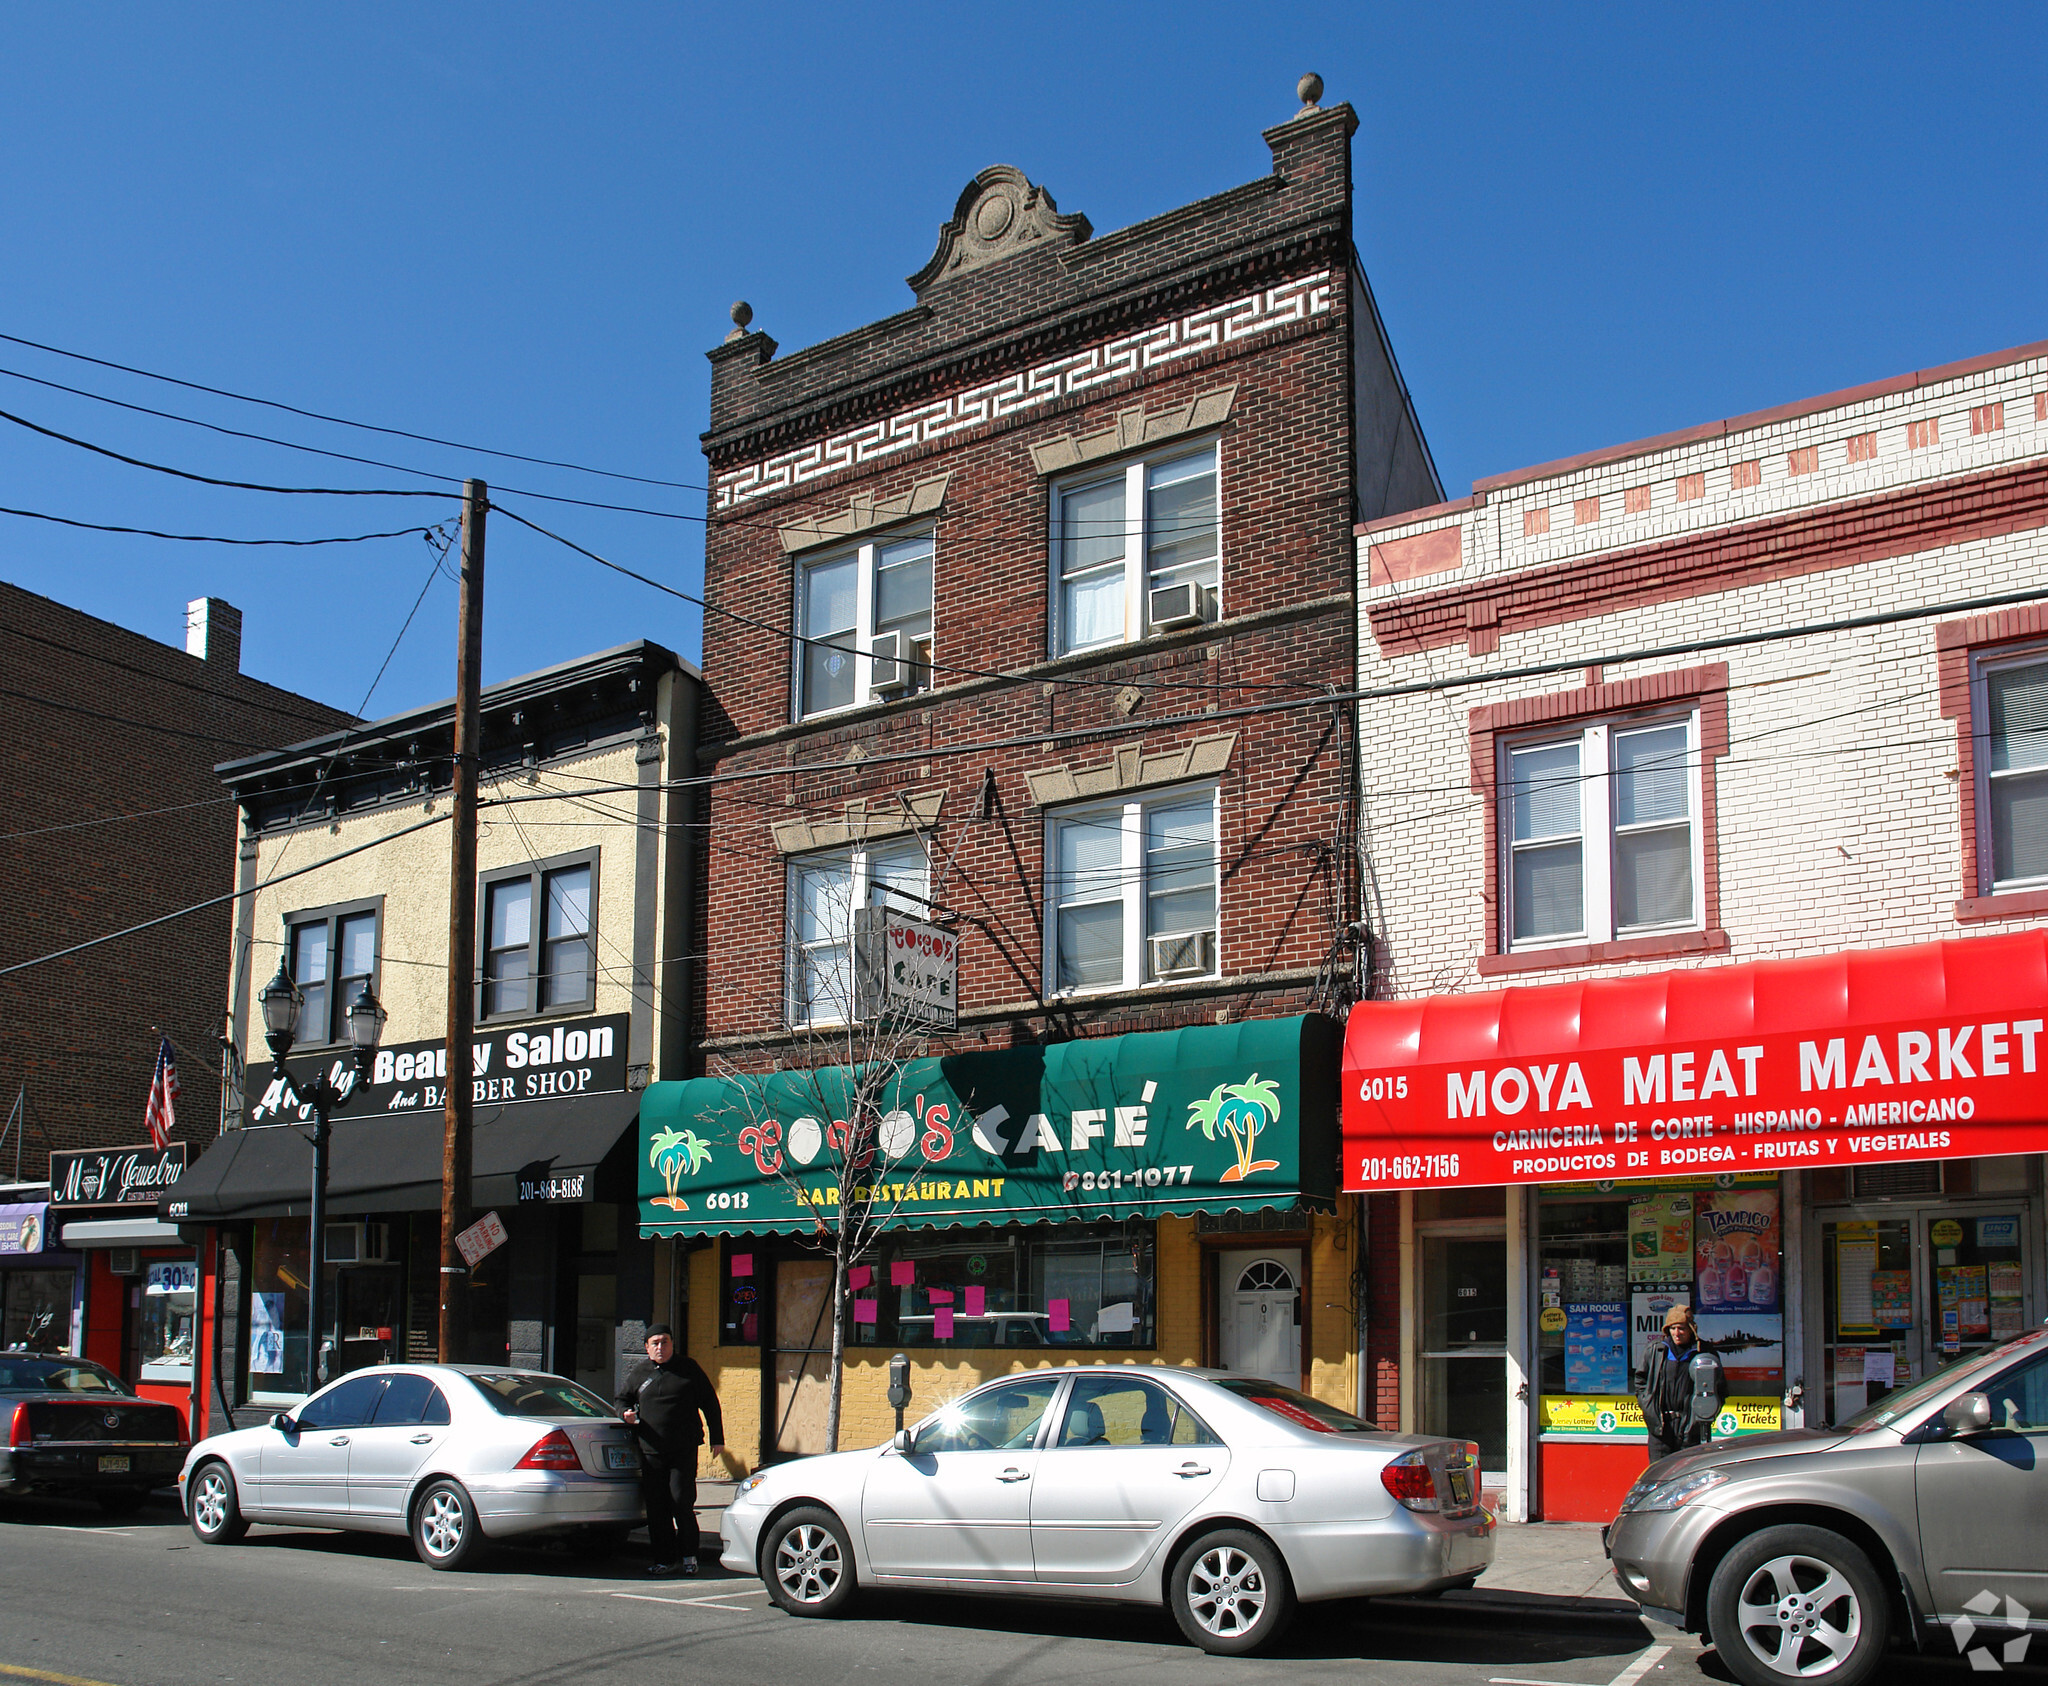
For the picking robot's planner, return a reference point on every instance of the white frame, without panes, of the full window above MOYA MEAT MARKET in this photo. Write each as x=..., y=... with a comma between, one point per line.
x=1596, y=829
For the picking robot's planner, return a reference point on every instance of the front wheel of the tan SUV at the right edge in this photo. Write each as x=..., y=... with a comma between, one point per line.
x=1799, y=1603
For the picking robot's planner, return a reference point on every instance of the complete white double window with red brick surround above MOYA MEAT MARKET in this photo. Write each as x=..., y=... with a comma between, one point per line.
x=1603, y=833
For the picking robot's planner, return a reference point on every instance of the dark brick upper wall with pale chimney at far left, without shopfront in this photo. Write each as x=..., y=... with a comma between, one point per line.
x=110, y=724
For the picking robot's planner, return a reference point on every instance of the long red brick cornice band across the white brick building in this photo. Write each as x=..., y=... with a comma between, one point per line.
x=1719, y=560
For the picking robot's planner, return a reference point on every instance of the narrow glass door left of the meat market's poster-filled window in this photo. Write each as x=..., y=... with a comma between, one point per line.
x=1463, y=1326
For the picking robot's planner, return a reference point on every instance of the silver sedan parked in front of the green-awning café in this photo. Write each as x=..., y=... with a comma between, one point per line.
x=1226, y=1499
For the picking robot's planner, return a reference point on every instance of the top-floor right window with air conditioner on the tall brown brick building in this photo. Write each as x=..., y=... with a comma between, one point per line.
x=1136, y=550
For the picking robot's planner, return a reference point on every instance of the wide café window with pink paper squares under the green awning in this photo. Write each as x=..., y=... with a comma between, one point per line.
x=978, y=1288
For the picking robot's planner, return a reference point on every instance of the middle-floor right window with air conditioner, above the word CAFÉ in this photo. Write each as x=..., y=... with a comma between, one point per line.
x=1134, y=892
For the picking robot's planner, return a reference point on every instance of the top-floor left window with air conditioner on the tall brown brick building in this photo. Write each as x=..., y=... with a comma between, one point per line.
x=867, y=626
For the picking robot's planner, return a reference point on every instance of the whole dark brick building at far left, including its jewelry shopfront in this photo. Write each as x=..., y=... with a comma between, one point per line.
x=116, y=818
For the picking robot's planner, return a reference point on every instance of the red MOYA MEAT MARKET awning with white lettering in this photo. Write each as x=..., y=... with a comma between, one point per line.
x=1867, y=1058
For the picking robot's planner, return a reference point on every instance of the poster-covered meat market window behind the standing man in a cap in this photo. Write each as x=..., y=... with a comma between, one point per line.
x=1615, y=1261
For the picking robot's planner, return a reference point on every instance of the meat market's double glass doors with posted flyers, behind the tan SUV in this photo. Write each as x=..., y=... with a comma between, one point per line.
x=1912, y=1288
